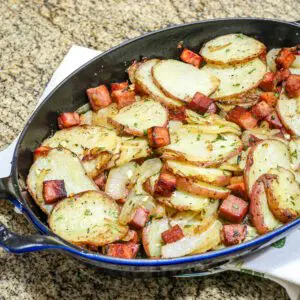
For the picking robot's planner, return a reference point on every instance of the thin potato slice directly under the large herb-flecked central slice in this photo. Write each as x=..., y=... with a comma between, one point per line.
x=210, y=175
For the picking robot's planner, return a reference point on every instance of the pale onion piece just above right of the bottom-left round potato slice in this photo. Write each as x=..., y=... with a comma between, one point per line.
x=119, y=178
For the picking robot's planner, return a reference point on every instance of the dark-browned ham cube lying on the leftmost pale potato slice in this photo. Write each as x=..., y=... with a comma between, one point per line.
x=54, y=190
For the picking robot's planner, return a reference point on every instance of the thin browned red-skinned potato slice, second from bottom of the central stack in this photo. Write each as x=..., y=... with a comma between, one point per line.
x=201, y=188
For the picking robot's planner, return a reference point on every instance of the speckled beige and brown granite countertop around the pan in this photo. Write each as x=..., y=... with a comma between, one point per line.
x=34, y=37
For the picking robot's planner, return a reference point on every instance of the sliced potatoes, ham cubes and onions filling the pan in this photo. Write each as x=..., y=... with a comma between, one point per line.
x=187, y=156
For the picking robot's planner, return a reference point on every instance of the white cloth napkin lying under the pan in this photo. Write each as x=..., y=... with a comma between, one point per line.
x=280, y=263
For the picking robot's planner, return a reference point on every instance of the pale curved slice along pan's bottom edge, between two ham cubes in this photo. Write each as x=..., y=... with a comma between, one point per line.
x=195, y=244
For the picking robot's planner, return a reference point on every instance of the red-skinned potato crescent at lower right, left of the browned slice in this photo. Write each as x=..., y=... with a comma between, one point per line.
x=261, y=216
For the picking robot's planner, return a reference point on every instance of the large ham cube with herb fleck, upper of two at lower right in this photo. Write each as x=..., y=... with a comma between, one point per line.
x=233, y=209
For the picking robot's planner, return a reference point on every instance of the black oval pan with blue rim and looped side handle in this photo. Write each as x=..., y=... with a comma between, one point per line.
x=70, y=94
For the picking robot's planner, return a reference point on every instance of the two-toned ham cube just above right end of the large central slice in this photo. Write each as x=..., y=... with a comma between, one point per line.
x=242, y=117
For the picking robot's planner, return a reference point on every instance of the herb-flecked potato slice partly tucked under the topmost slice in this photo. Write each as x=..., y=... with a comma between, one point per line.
x=236, y=80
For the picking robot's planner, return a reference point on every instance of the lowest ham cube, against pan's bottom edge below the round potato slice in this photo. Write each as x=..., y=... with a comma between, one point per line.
x=122, y=250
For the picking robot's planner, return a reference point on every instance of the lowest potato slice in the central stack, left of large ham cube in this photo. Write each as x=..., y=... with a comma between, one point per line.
x=186, y=201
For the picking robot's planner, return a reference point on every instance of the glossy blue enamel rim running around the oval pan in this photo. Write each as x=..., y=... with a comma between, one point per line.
x=65, y=246
